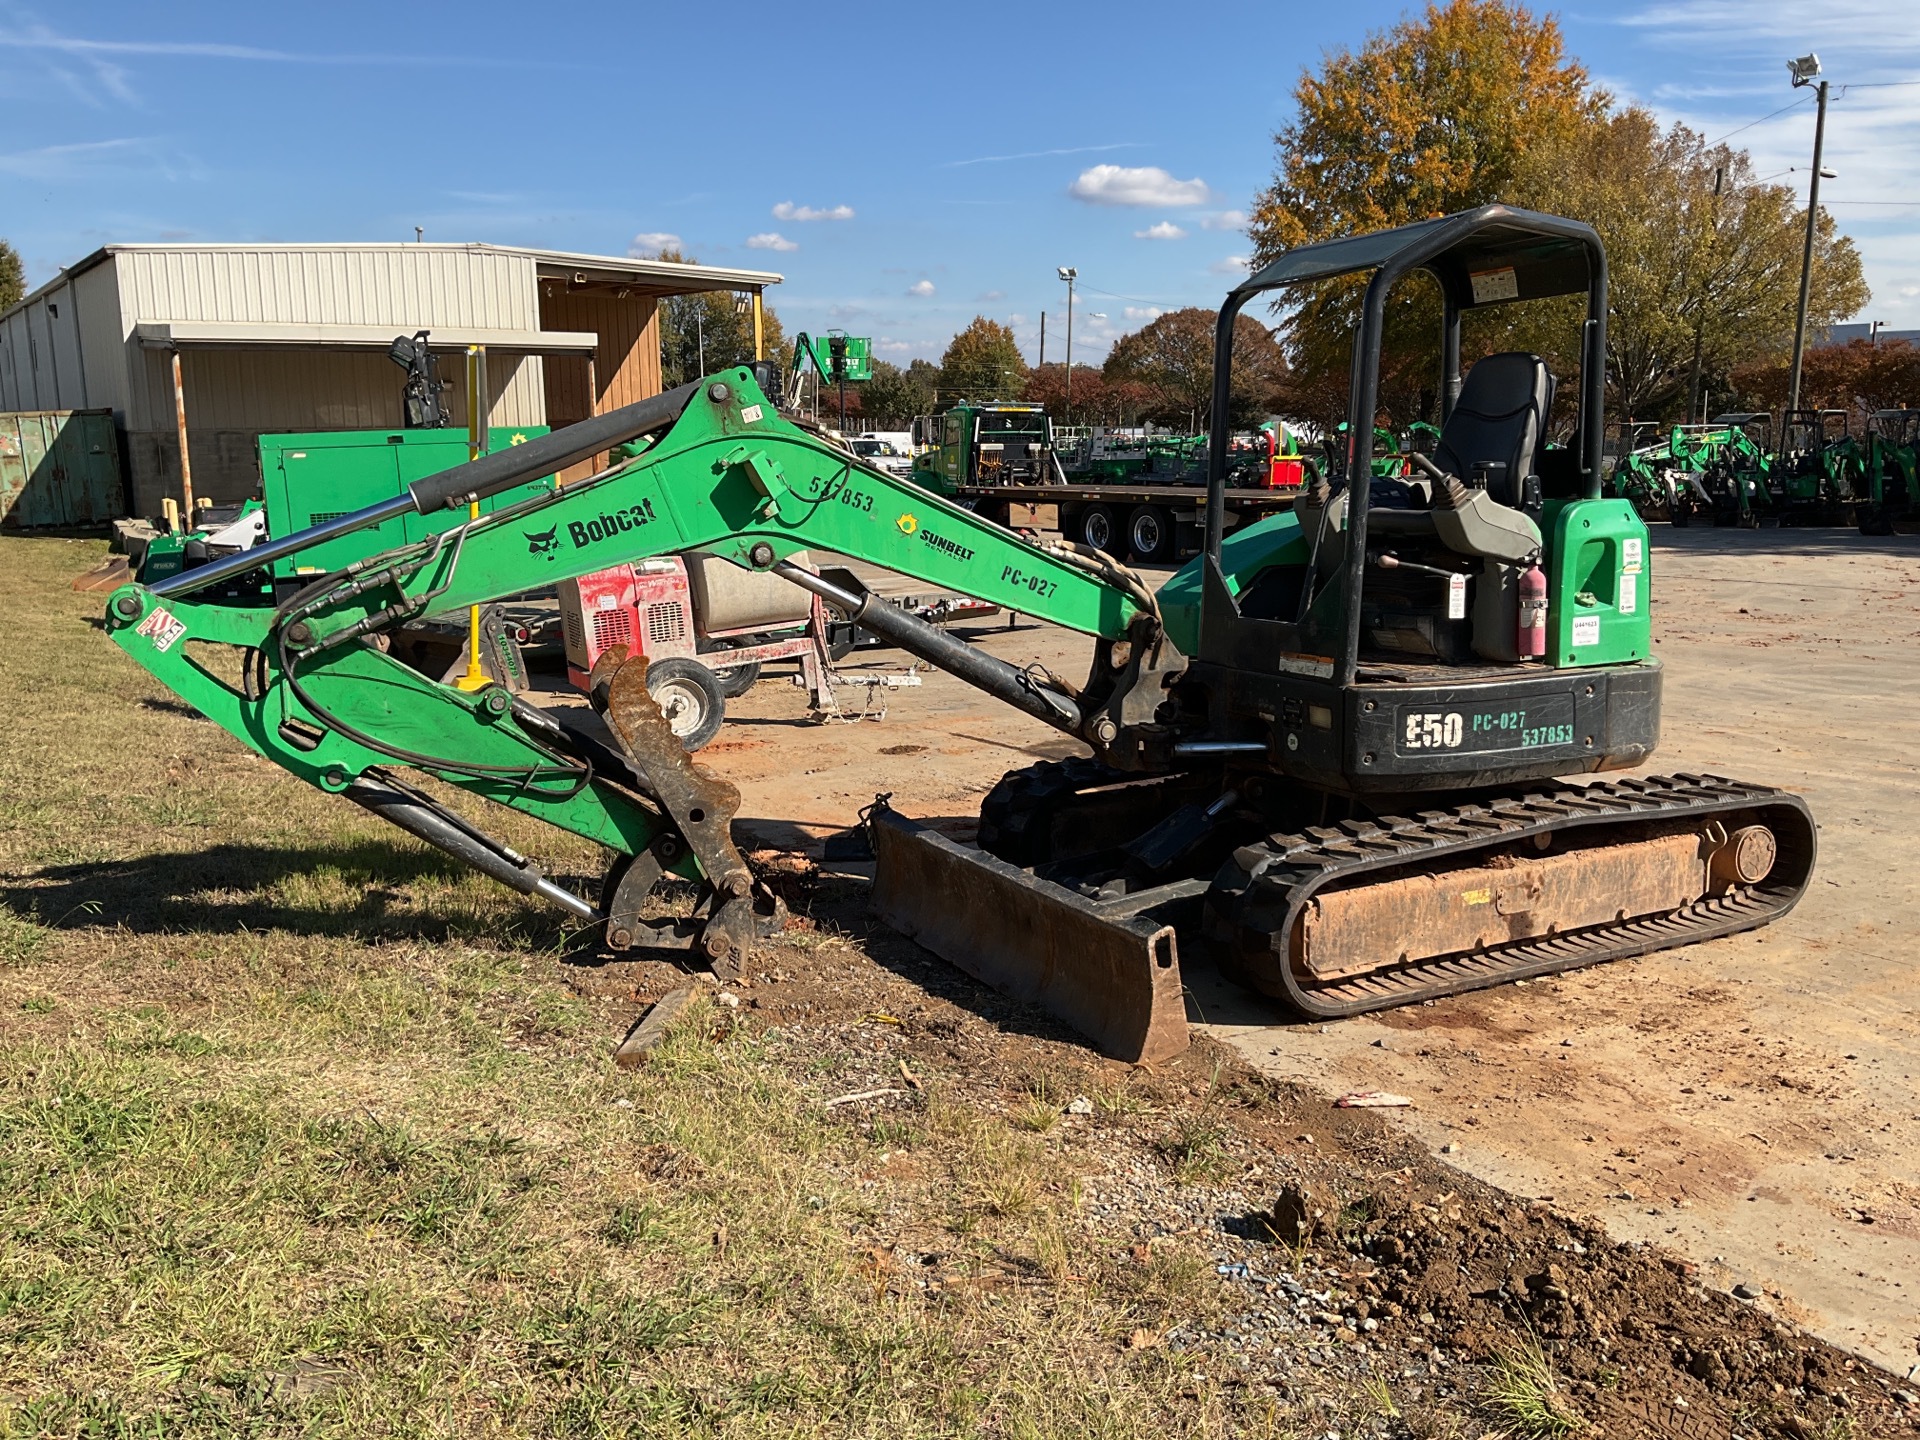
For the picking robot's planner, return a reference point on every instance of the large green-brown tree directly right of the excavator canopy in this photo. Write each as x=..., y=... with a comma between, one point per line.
x=1698, y=256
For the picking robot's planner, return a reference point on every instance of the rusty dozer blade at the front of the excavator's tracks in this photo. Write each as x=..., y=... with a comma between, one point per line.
x=1101, y=967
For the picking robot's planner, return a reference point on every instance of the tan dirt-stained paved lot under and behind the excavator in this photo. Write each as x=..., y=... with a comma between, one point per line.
x=1752, y=1103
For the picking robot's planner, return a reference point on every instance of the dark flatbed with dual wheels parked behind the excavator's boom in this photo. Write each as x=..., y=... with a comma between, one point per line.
x=1130, y=521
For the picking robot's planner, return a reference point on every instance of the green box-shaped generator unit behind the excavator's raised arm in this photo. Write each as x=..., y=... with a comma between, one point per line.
x=312, y=479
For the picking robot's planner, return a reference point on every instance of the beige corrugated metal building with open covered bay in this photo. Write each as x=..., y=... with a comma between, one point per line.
x=228, y=343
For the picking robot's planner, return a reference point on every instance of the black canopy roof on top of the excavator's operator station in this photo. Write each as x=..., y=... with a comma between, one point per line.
x=1483, y=256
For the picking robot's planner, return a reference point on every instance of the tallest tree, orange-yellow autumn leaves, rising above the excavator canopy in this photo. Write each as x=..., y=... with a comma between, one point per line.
x=1433, y=116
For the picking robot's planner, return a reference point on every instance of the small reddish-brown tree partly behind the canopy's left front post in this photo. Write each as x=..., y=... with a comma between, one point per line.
x=1172, y=358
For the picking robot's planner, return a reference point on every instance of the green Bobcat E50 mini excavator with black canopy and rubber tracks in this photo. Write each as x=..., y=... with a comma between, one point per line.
x=1332, y=746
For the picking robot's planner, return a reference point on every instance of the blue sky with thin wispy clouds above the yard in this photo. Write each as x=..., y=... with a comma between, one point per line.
x=905, y=170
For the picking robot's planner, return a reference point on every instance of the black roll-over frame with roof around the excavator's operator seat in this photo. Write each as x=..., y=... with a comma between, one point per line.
x=1548, y=254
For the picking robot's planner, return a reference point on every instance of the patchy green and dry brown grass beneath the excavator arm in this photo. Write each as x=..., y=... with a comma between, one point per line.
x=304, y=1130
